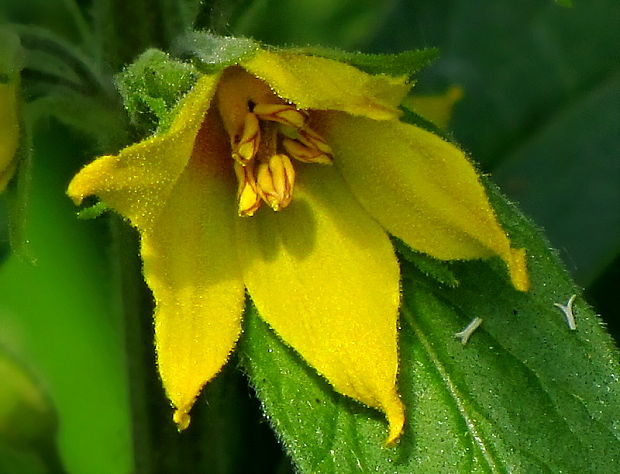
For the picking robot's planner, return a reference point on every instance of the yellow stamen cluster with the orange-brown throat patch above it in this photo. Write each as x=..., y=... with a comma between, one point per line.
x=266, y=135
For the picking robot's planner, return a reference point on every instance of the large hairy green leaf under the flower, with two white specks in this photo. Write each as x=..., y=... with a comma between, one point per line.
x=525, y=395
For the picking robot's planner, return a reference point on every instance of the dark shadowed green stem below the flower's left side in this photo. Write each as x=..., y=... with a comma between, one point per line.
x=158, y=447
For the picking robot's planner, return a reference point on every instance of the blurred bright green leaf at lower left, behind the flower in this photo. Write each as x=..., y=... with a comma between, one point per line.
x=57, y=313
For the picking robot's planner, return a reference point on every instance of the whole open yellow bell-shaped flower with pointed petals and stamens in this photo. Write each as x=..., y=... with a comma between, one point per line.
x=320, y=142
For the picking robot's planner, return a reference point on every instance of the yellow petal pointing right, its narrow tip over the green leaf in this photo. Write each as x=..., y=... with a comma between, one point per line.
x=421, y=189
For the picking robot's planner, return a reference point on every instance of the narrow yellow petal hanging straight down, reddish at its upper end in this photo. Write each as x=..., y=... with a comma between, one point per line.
x=193, y=271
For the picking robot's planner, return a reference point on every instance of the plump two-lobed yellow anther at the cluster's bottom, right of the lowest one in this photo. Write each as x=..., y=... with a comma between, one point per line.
x=275, y=179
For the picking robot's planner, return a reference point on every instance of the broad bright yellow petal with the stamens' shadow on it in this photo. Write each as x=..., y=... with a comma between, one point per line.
x=324, y=275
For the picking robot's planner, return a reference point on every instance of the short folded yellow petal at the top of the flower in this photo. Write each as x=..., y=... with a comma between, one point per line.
x=312, y=82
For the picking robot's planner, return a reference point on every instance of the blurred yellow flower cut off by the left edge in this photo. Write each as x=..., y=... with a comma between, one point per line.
x=9, y=130
